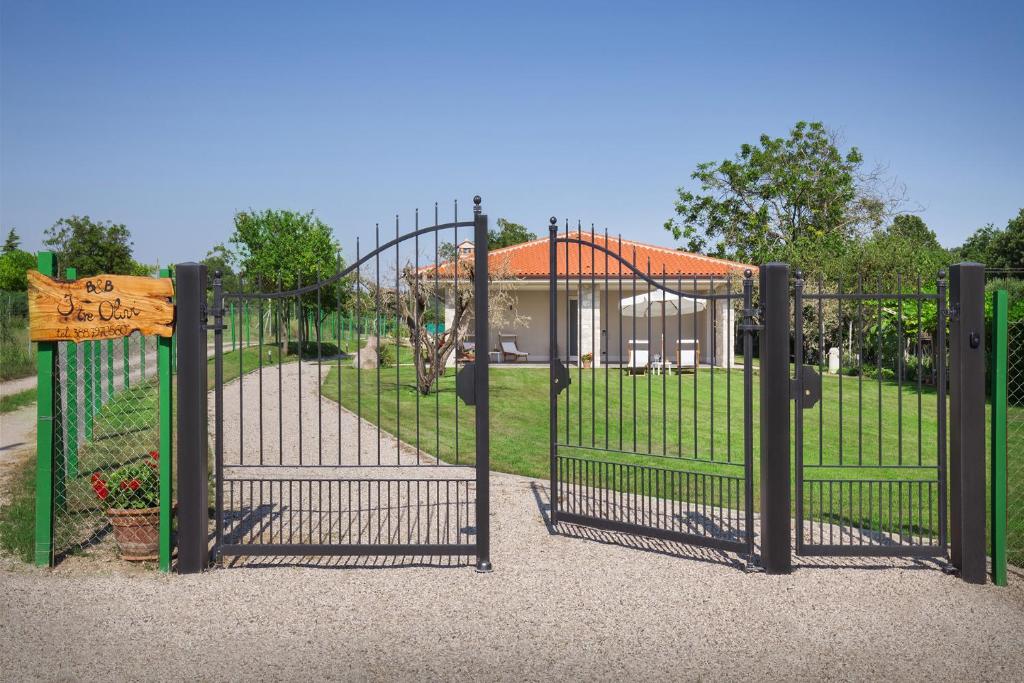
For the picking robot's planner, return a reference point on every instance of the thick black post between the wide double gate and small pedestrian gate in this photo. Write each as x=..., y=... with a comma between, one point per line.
x=777, y=554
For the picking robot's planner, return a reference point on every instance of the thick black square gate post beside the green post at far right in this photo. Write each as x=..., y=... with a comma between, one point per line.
x=967, y=392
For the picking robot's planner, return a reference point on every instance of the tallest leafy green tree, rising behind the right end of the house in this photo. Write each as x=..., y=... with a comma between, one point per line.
x=800, y=199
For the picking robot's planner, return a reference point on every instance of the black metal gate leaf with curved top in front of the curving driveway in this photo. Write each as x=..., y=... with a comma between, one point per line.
x=342, y=428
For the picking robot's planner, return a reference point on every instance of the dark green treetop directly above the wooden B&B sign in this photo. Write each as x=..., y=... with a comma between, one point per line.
x=93, y=247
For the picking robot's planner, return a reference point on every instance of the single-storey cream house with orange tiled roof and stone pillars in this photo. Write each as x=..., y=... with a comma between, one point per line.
x=592, y=285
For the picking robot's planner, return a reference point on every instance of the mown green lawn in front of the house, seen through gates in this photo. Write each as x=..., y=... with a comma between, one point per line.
x=711, y=443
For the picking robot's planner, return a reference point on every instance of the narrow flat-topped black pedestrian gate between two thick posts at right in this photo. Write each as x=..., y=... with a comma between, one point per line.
x=870, y=435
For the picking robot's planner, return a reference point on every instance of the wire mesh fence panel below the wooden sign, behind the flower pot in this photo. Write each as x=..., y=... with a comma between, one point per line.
x=107, y=466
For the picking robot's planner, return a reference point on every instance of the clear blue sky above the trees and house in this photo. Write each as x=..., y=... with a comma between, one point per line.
x=169, y=117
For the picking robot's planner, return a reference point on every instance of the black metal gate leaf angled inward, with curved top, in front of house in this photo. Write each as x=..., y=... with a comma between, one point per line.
x=652, y=419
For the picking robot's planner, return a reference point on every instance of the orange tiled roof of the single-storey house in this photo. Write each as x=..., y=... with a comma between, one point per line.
x=531, y=260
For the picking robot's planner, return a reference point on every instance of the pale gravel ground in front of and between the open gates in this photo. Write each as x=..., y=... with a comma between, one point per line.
x=577, y=604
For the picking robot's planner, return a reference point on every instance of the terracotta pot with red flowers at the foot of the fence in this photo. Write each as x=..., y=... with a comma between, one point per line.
x=133, y=496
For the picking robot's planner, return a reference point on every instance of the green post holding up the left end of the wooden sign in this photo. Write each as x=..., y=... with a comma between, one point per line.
x=46, y=365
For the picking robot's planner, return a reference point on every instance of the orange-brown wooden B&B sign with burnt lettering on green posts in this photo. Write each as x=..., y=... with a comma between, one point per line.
x=99, y=308
